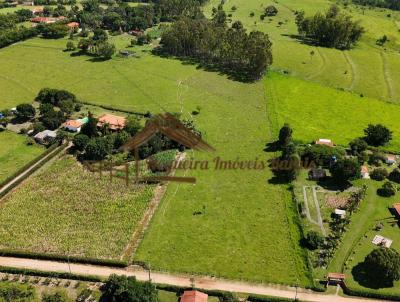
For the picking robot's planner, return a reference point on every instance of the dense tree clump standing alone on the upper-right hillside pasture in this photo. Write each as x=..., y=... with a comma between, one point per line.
x=332, y=29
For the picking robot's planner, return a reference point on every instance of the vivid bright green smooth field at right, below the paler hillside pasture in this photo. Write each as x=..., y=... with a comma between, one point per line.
x=315, y=111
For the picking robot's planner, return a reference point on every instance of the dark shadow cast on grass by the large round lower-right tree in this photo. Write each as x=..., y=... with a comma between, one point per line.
x=367, y=277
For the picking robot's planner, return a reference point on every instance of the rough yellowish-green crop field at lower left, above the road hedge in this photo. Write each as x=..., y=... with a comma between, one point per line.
x=66, y=210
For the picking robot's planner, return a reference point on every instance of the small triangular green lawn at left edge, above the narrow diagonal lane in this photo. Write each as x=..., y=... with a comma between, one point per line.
x=14, y=153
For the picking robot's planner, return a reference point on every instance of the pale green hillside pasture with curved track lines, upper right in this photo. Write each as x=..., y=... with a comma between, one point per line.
x=361, y=69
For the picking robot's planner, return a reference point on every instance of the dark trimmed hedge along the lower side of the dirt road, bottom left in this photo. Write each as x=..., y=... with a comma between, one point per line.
x=59, y=275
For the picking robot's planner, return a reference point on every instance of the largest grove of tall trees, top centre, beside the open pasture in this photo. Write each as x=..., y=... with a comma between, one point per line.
x=211, y=42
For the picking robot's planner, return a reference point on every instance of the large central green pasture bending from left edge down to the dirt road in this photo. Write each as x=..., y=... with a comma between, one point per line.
x=232, y=198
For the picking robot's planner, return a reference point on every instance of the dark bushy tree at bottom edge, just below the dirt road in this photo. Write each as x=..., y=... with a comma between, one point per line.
x=128, y=289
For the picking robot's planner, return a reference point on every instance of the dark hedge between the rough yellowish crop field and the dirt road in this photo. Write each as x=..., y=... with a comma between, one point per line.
x=63, y=258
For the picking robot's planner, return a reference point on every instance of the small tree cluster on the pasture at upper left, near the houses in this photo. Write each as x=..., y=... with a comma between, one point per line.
x=97, y=45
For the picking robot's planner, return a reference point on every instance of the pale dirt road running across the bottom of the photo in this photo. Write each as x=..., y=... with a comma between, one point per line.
x=179, y=280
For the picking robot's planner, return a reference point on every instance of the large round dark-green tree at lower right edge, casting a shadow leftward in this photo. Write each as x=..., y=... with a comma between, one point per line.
x=384, y=263
